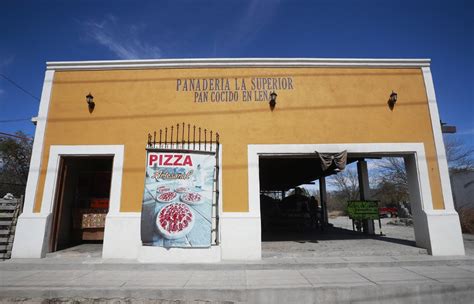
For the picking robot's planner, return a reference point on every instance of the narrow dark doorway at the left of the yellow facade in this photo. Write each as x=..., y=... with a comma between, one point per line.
x=81, y=201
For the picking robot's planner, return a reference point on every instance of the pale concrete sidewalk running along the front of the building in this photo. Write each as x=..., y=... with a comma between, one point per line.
x=420, y=279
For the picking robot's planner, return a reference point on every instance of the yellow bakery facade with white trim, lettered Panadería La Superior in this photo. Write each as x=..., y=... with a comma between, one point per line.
x=322, y=105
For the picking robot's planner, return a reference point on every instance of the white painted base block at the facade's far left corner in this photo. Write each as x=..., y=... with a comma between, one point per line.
x=31, y=236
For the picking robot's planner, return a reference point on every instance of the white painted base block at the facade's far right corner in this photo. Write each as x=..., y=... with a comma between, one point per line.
x=445, y=234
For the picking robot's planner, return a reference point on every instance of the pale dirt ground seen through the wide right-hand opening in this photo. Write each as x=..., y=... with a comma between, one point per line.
x=342, y=241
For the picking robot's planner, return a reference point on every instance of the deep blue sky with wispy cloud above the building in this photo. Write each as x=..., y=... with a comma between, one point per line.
x=33, y=32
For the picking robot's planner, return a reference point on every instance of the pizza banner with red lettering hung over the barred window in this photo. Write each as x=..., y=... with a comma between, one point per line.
x=177, y=199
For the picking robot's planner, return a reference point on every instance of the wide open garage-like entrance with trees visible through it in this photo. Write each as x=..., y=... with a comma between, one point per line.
x=303, y=206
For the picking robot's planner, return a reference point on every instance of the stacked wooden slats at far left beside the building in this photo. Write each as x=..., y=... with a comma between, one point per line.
x=9, y=212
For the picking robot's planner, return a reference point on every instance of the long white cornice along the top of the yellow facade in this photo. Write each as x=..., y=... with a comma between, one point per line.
x=236, y=62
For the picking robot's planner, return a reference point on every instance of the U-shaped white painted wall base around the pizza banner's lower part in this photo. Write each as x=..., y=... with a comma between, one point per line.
x=240, y=237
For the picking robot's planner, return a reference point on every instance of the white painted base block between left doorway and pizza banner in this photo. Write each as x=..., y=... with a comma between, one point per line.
x=122, y=236
